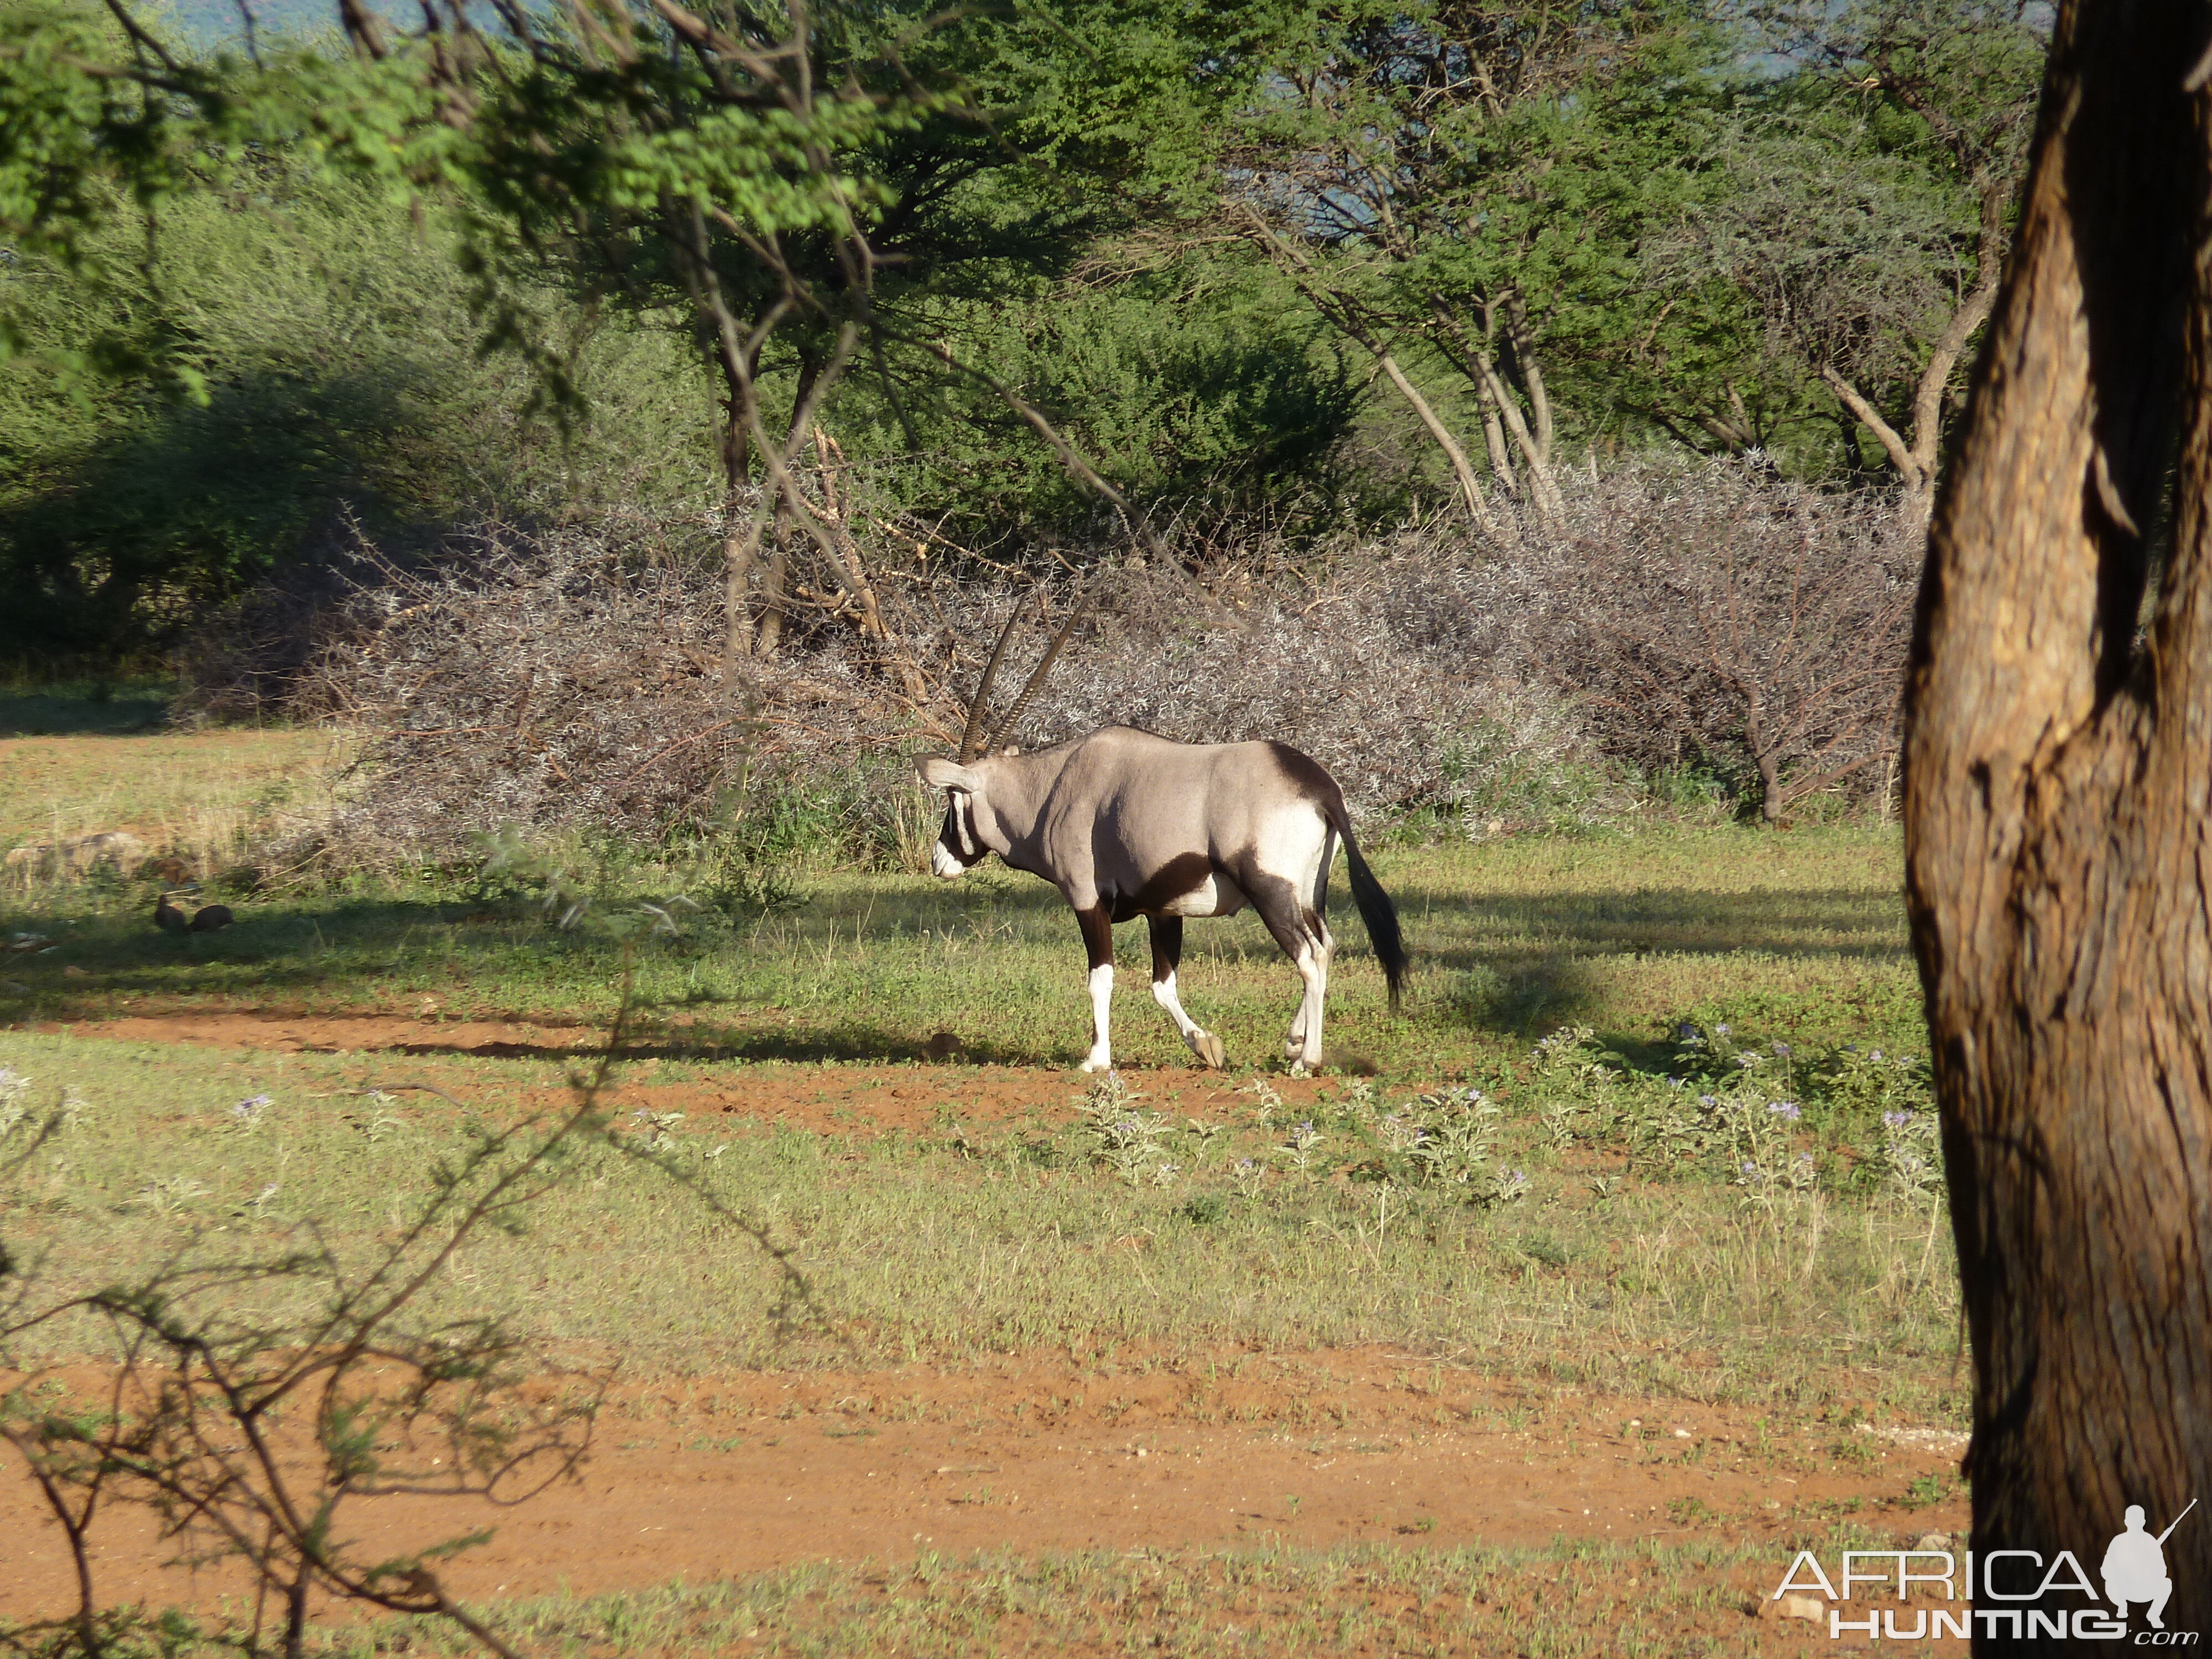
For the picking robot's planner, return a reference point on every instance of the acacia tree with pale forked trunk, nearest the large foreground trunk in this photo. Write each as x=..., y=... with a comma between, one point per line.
x=1866, y=209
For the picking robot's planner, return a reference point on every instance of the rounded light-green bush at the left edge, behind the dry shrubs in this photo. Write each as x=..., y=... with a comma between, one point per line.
x=335, y=351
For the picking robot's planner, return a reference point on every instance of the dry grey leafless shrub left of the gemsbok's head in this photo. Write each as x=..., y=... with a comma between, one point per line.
x=565, y=680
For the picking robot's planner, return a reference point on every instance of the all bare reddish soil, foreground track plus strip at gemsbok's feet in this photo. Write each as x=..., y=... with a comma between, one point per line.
x=713, y=1479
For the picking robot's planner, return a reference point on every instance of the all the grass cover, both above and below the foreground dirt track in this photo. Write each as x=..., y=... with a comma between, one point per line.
x=1631, y=1260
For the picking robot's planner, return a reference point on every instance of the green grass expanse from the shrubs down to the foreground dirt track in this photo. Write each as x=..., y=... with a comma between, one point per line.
x=1625, y=1264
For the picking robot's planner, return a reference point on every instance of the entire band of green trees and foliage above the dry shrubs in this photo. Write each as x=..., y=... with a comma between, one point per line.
x=607, y=255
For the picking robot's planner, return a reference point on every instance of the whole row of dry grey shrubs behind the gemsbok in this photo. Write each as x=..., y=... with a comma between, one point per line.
x=574, y=680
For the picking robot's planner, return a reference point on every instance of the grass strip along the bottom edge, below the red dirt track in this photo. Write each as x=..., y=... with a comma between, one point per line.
x=1565, y=1600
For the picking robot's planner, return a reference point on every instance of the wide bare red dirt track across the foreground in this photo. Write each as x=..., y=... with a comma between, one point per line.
x=729, y=1477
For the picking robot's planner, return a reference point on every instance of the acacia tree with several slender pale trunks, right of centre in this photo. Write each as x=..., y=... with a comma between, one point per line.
x=1446, y=180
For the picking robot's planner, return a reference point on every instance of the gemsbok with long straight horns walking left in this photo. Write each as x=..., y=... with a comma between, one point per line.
x=1127, y=824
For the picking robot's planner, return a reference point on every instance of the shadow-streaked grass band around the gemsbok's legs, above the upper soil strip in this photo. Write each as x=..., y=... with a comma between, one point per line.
x=1799, y=937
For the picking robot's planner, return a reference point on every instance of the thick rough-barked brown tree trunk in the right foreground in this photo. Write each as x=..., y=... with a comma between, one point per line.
x=2056, y=806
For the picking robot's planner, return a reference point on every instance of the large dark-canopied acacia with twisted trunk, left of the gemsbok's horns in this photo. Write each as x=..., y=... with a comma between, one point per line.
x=797, y=187
